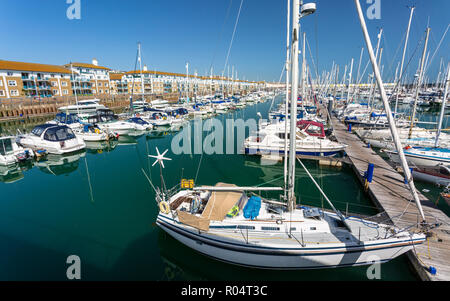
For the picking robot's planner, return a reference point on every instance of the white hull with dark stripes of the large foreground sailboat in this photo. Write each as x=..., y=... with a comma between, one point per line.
x=310, y=257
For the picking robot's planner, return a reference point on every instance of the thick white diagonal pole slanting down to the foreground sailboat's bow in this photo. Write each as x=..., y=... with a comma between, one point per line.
x=387, y=108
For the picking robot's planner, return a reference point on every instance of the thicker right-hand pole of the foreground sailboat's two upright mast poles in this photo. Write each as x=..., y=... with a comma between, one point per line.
x=294, y=95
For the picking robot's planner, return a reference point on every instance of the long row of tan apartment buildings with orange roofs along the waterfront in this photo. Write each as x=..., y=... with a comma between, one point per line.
x=18, y=79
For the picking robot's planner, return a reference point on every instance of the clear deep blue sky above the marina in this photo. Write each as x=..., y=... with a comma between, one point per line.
x=199, y=31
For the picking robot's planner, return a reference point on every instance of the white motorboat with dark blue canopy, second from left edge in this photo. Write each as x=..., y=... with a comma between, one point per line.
x=55, y=139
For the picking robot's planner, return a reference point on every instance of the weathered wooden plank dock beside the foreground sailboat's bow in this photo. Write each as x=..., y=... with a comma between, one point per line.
x=392, y=196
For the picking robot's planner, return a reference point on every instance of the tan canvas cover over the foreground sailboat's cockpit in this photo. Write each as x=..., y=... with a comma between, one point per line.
x=221, y=202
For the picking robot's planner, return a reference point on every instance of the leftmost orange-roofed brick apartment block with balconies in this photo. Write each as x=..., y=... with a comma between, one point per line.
x=20, y=79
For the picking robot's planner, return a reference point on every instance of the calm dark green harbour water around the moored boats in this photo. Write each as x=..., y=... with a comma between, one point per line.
x=99, y=205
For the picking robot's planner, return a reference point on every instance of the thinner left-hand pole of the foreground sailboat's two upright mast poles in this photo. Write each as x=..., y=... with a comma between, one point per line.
x=287, y=98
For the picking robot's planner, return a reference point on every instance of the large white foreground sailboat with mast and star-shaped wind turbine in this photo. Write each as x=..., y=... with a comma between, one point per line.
x=235, y=225
